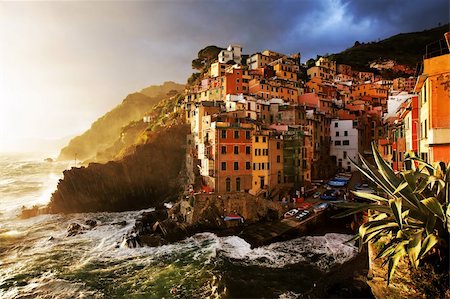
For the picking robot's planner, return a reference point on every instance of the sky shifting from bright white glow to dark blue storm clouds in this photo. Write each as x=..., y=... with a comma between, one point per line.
x=64, y=64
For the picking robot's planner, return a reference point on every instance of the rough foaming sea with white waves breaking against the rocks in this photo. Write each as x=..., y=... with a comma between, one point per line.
x=39, y=260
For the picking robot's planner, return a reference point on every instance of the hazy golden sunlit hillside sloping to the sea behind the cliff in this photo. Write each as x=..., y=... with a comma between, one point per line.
x=105, y=131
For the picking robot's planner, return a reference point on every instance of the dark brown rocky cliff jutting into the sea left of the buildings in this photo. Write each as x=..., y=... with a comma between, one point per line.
x=146, y=177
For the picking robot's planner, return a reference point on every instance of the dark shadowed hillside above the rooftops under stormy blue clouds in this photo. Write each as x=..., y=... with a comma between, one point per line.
x=405, y=48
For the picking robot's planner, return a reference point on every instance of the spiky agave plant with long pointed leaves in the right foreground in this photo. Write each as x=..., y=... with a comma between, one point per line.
x=409, y=214
